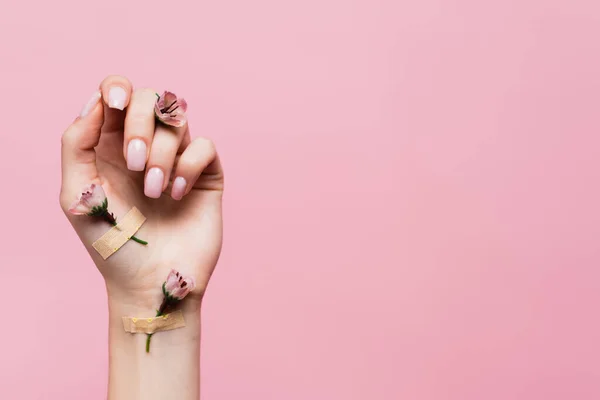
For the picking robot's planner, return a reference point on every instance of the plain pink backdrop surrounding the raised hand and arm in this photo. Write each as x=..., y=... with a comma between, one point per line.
x=412, y=205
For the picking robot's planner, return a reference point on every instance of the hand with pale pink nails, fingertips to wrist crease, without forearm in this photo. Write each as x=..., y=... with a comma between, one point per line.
x=176, y=182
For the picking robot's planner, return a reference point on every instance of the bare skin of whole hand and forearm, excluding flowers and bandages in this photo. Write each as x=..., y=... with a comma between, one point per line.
x=183, y=229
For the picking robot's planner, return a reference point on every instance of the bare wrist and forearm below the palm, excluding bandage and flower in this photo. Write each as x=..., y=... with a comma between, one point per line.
x=172, y=367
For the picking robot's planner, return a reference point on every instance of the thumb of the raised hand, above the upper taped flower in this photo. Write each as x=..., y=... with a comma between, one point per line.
x=77, y=154
